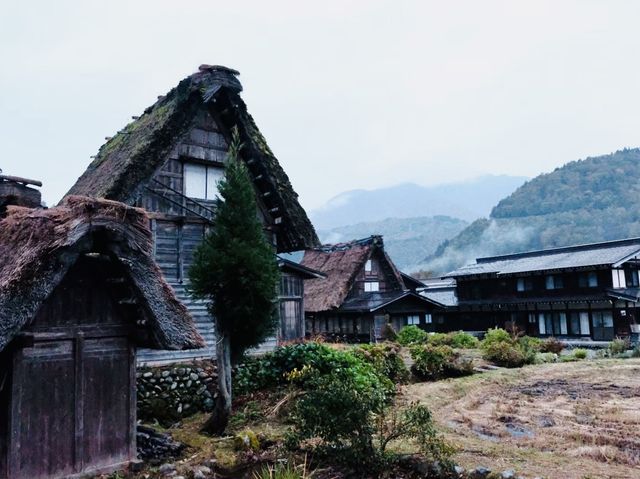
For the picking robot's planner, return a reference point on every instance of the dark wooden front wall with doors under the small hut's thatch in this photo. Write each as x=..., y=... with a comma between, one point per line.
x=73, y=384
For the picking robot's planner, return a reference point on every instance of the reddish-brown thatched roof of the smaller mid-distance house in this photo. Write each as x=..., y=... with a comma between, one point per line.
x=341, y=263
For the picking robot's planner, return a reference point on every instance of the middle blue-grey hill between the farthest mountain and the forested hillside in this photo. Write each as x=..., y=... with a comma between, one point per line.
x=407, y=240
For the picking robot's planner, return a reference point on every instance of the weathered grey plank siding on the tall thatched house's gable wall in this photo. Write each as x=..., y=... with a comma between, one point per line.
x=178, y=231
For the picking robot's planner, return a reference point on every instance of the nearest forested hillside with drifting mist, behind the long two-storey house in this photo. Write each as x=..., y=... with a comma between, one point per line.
x=585, y=201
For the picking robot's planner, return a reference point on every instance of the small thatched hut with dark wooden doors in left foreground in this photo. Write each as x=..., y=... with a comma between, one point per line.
x=79, y=290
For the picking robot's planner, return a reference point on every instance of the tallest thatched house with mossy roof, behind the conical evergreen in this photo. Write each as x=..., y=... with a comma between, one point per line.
x=169, y=161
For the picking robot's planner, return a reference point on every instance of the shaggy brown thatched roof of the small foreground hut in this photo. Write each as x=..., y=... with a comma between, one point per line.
x=38, y=247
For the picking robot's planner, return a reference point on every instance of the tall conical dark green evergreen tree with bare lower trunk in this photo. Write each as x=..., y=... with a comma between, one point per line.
x=236, y=271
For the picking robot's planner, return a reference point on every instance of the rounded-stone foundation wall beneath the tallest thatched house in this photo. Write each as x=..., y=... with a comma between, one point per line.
x=169, y=393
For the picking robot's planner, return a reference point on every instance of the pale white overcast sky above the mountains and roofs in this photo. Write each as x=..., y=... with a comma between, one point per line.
x=349, y=94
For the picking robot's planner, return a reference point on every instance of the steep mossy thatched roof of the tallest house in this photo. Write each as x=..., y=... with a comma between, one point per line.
x=128, y=160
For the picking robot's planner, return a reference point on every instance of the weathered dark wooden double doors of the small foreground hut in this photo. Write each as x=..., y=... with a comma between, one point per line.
x=71, y=409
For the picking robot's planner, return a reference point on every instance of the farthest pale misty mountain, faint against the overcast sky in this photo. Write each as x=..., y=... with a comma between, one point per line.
x=466, y=200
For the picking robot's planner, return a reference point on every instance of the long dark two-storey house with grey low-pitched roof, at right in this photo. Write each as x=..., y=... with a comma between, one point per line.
x=583, y=292
